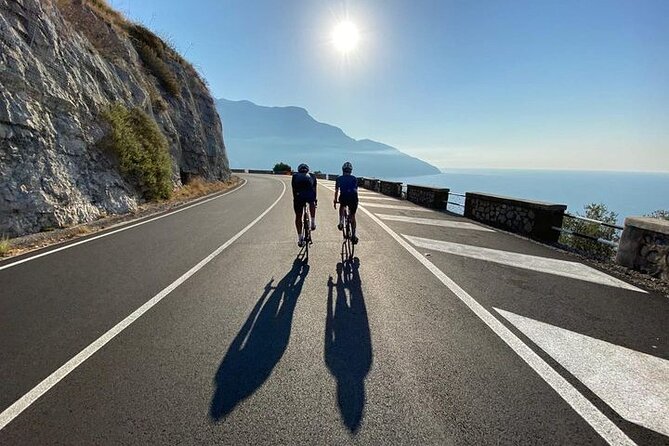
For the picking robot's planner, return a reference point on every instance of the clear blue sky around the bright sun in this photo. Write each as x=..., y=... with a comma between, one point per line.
x=568, y=84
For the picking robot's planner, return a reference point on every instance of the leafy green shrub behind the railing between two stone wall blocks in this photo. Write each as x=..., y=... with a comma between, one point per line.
x=594, y=211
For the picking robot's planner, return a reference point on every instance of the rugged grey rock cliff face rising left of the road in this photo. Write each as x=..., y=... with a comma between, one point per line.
x=62, y=64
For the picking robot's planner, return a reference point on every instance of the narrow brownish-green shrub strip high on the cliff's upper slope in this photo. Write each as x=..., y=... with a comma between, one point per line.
x=152, y=51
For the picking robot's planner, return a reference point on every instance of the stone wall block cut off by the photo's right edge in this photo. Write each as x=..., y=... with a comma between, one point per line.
x=644, y=246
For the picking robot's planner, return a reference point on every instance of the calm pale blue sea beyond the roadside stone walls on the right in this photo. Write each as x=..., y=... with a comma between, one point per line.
x=625, y=193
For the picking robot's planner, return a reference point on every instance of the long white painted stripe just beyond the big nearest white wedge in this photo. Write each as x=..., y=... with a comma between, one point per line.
x=573, y=270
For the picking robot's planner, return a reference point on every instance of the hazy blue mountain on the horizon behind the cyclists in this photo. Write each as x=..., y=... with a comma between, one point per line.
x=258, y=137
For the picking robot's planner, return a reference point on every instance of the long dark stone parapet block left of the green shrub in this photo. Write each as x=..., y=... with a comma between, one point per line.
x=529, y=218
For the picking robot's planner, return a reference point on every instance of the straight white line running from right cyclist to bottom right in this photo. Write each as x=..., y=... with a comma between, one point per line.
x=611, y=433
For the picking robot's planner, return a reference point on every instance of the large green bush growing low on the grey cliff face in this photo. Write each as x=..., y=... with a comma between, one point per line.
x=142, y=151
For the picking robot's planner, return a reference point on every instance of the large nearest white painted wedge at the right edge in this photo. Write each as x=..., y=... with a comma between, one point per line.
x=634, y=384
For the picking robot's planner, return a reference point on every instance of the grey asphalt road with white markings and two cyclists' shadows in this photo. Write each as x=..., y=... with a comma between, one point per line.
x=207, y=326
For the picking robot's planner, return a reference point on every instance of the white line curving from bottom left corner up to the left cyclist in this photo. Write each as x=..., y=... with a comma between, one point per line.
x=36, y=392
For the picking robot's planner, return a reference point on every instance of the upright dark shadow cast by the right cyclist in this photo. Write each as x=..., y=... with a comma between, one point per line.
x=348, y=343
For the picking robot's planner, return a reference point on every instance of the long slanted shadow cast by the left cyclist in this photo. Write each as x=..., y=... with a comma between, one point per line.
x=260, y=343
